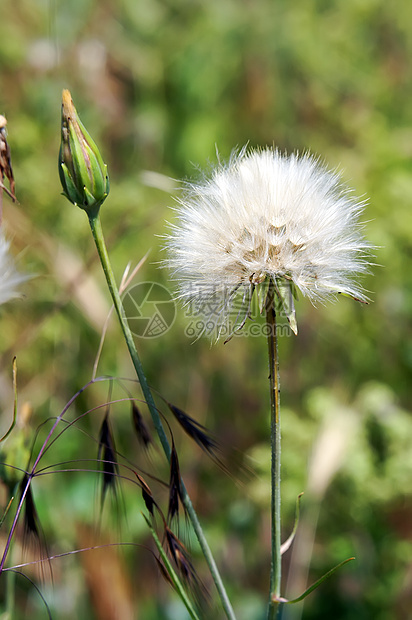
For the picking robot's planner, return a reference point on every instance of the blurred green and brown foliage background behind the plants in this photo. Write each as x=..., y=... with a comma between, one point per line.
x=160, y=85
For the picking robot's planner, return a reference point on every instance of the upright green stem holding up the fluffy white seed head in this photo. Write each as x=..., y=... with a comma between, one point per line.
x=276, y=558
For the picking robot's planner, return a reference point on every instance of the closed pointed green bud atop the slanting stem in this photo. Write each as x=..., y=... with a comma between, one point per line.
x=83, y=174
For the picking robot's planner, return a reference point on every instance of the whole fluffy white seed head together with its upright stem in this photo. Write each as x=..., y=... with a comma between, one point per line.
x=275, y=224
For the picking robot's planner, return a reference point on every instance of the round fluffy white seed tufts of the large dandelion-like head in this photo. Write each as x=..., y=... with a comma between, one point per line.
x=267, y=214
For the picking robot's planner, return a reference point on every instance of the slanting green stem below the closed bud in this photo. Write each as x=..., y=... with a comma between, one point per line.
x=97, y=232
